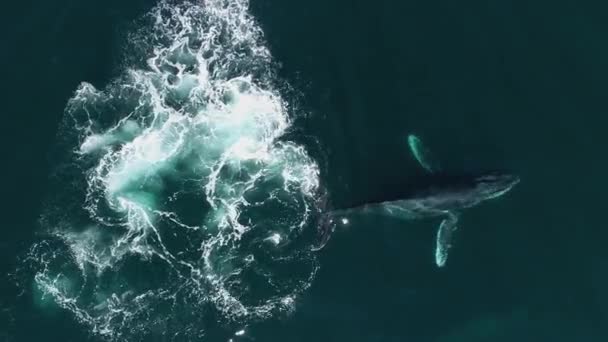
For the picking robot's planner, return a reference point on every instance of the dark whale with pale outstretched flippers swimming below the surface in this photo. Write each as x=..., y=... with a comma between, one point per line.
x=445, y=196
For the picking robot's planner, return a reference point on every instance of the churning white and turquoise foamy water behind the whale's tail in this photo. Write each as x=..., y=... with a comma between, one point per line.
x=177, y=210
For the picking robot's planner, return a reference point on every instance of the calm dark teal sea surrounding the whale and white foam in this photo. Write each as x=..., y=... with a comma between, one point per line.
x=510, y=84
